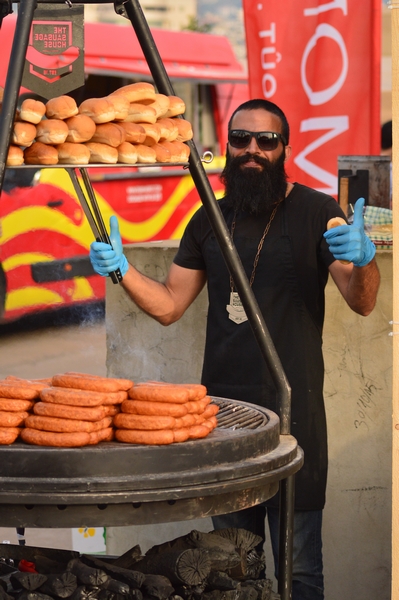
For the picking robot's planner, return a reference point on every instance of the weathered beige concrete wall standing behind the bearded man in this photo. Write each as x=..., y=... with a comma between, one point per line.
x=358, y=359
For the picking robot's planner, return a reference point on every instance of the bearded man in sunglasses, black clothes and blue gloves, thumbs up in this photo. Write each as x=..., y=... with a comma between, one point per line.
x=279, y=230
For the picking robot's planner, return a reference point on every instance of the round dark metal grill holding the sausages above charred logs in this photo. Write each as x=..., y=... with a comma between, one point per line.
x=113, y=484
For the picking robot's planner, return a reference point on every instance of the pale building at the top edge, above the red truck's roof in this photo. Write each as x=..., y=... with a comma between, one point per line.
x=165, y=14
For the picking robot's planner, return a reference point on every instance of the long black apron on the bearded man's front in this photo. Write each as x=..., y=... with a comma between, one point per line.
x=235, y=368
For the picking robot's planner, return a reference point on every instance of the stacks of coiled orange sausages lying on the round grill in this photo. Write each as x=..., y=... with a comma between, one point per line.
x=77, y=409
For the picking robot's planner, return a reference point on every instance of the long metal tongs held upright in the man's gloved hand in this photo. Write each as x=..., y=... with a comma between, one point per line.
x=92, y=211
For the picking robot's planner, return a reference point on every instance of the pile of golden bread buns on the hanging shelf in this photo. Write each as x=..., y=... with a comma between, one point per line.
x=134, y=124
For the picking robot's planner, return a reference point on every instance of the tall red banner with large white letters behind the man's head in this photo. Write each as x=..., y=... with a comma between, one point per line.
x=319, y=60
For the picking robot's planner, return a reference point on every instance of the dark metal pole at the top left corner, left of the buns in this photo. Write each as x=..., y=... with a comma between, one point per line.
x=14, y=78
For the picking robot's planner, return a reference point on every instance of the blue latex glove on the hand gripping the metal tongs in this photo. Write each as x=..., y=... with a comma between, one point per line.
x=106, y=258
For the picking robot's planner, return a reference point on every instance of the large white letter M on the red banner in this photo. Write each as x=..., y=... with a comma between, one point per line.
x=336, y=125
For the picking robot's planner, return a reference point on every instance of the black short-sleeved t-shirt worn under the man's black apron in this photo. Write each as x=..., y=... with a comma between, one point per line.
x=307, y=214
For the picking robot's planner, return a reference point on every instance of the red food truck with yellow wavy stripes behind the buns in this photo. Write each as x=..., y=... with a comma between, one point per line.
x=44, y=235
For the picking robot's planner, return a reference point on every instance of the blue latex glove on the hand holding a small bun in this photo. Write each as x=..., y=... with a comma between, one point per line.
x=349, y=242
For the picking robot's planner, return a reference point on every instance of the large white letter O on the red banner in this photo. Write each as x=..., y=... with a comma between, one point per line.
x=317, y=98
